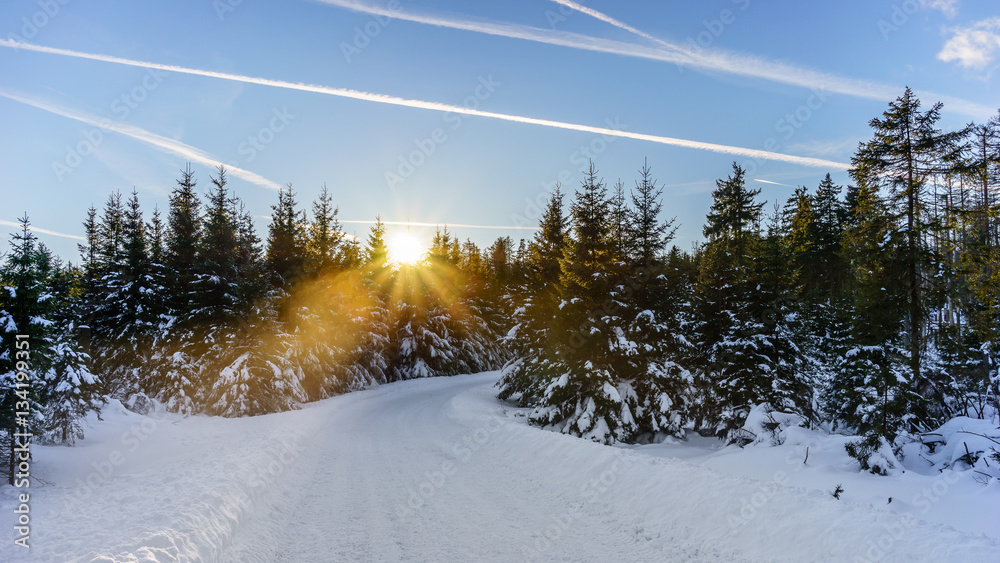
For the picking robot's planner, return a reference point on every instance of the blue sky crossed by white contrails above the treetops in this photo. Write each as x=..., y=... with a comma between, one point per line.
x=800, y=80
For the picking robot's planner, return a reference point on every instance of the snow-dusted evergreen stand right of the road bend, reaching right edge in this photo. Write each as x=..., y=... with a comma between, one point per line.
x=874, y=309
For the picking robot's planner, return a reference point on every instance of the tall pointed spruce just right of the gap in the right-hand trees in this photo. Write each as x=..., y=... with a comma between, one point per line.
x=745, y=330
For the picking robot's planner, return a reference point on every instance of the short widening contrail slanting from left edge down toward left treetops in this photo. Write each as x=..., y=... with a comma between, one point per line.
x=158, y=142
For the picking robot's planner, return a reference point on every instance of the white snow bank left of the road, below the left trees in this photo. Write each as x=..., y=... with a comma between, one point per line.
x=157, y=487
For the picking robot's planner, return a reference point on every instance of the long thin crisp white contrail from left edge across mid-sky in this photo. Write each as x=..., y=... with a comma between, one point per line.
x=435, y=106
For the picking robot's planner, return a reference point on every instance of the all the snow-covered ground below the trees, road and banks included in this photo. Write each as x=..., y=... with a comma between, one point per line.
x=439, y=469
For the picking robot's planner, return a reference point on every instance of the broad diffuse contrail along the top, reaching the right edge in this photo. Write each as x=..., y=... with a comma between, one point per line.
x=713, y=60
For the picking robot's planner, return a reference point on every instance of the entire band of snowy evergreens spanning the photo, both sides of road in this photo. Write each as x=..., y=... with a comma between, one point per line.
x=873, y=308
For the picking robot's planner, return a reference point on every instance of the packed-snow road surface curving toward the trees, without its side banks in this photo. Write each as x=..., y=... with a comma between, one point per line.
x=428, y=475
